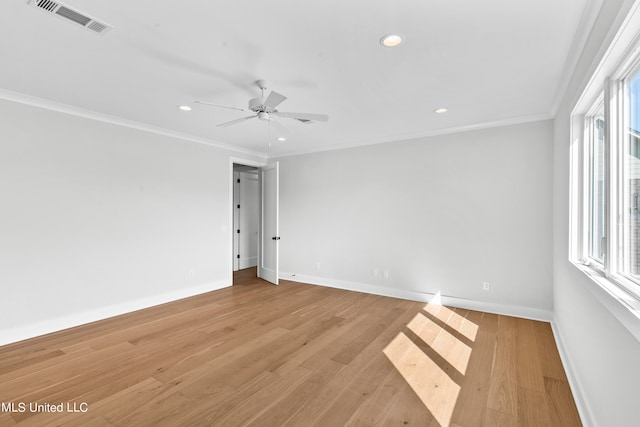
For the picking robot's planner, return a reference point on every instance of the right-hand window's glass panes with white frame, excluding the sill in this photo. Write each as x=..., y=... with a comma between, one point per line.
x=606, y=180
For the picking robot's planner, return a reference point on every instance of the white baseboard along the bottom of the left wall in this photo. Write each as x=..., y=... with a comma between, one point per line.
x=21, y=333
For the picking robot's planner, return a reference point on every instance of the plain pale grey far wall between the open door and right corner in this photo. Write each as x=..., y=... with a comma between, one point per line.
x=440, y=214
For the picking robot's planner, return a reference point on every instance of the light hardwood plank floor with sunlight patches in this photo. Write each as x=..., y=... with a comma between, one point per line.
x=291, y=355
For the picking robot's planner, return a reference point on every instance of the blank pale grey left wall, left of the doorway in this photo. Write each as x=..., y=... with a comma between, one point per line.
x=98, y=219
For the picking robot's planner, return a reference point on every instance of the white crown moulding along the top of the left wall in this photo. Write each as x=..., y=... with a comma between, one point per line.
x=119, y=121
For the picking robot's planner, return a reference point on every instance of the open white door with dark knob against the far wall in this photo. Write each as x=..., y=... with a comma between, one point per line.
x=269, y=238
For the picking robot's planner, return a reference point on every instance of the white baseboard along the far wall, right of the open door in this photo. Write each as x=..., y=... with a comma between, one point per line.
x=487, y=307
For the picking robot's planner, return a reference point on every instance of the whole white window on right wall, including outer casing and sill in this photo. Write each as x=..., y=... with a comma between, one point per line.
x=604, y=222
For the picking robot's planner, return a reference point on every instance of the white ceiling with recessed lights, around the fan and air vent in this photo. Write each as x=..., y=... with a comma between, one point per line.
x=488, y=62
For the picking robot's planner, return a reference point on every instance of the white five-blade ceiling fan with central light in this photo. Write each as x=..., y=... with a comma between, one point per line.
x=267, y=109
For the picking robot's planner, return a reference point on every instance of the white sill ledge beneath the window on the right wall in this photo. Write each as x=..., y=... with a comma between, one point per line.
x=624, y=307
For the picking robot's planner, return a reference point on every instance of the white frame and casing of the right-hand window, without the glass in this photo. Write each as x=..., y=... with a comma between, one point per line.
x=606, y=92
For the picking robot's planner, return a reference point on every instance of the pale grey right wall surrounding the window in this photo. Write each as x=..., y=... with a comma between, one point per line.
x=602, y=355
